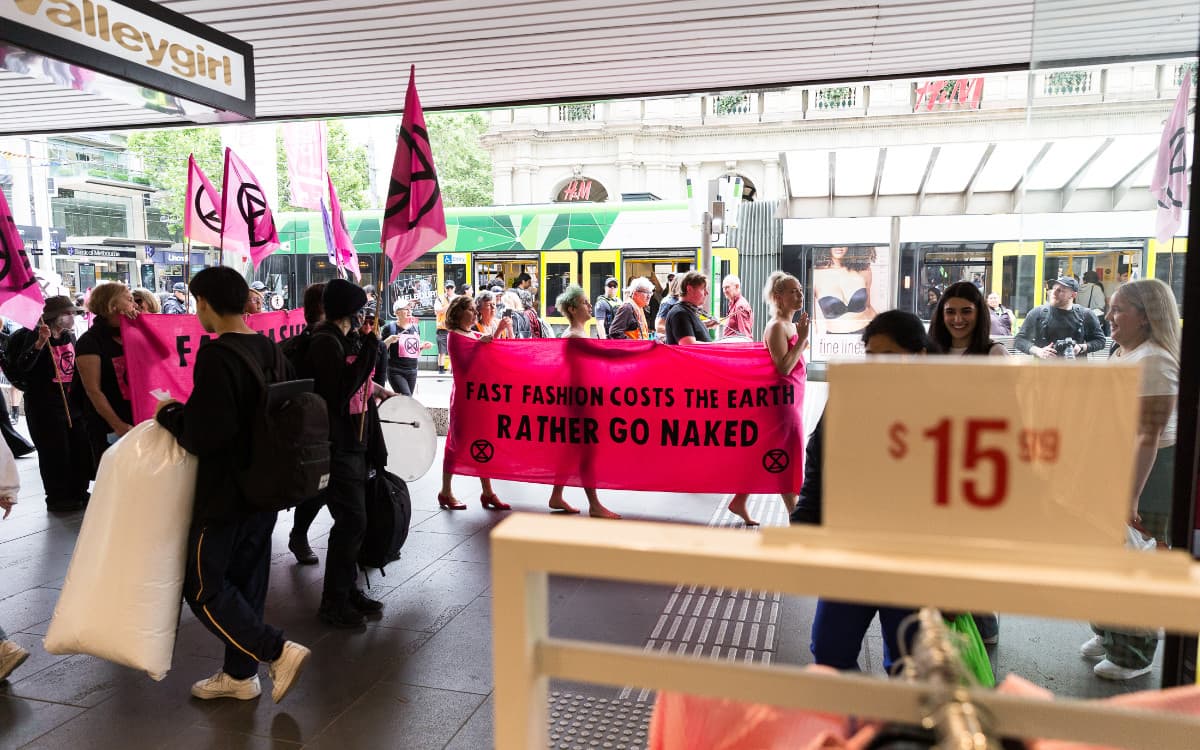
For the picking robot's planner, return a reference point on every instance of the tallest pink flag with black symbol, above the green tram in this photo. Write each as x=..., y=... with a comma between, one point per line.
x=413, y=221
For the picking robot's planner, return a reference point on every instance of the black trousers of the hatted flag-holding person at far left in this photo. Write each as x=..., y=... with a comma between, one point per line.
x=64, y=455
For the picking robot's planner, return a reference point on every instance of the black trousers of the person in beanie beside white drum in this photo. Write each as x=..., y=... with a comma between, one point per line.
x=346, y=499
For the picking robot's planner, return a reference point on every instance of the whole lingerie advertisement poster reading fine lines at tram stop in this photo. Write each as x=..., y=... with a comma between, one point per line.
x=848, y=287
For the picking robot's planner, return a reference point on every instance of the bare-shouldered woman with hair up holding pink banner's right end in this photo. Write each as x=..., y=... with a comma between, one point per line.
x=785, y=343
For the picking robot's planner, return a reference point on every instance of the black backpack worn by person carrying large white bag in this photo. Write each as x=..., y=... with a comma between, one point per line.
x=289, y=440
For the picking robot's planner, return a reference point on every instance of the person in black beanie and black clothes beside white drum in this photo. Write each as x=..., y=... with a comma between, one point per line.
x=341, y=365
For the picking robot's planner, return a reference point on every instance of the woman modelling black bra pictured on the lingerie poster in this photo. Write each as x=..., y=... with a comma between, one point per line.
x=842, y=286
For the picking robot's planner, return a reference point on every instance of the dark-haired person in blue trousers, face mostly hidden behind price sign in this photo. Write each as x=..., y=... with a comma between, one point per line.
x=839, y=627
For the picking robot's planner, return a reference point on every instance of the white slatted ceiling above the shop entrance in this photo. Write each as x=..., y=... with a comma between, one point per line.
x=319, y=58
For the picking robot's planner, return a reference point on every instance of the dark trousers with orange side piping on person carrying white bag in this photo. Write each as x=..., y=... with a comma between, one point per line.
x=229, y=568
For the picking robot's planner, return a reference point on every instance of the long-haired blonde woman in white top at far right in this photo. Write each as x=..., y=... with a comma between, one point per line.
x=1145, y=323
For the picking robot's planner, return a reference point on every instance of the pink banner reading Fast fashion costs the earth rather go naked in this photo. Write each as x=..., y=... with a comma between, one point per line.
x=626, y=416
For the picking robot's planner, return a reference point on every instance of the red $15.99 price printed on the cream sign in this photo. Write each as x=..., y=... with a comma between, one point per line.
x=987, y=448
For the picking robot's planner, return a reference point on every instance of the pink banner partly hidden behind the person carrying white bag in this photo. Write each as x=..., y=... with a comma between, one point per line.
x=161, y=351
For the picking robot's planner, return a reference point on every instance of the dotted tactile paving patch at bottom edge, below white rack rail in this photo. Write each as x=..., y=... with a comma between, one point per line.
x=589, y=723
